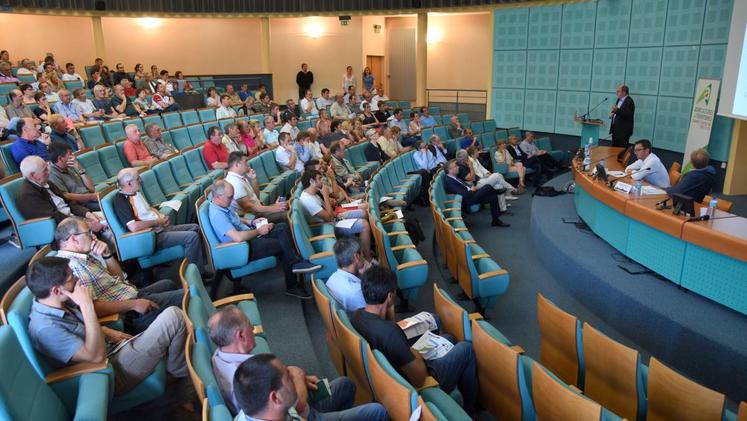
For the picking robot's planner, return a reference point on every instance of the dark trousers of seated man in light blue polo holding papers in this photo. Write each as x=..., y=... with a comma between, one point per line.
x=278, y=243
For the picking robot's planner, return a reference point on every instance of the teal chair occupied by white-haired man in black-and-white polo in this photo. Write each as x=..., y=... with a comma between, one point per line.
x=139, y=245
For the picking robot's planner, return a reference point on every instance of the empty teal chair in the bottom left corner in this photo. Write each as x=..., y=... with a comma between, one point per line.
x=25, y=396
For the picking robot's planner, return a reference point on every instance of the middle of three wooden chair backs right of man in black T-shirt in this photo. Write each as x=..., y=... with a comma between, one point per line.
x=498, y=366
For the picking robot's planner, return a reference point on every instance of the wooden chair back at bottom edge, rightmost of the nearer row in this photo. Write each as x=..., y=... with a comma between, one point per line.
x=555, y=401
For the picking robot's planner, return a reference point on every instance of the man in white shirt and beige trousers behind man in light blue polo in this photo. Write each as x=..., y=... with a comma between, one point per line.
x=243, y=178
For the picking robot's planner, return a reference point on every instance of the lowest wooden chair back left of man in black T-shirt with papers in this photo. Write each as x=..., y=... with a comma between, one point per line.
x=395, y=396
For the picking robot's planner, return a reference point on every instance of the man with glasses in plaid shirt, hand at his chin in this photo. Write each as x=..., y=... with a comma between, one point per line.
x=110, y=291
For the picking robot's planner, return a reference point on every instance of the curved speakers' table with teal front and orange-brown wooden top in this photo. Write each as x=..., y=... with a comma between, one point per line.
x=706, y=257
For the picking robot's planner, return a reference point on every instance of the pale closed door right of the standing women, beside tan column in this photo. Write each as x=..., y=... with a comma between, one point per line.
x=401, y=53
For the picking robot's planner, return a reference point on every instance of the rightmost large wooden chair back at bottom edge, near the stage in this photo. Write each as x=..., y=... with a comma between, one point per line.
x=672, y=396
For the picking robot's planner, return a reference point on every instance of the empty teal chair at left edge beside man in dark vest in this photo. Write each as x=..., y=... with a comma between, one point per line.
x=30, y=232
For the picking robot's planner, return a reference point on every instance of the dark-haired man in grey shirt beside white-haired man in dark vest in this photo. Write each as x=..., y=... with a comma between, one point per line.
x=66, y=173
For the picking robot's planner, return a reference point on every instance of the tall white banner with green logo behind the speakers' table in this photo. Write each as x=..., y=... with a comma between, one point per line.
x=701, y=121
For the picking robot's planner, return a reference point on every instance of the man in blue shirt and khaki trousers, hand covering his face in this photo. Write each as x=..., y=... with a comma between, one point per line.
x=64, y=327
